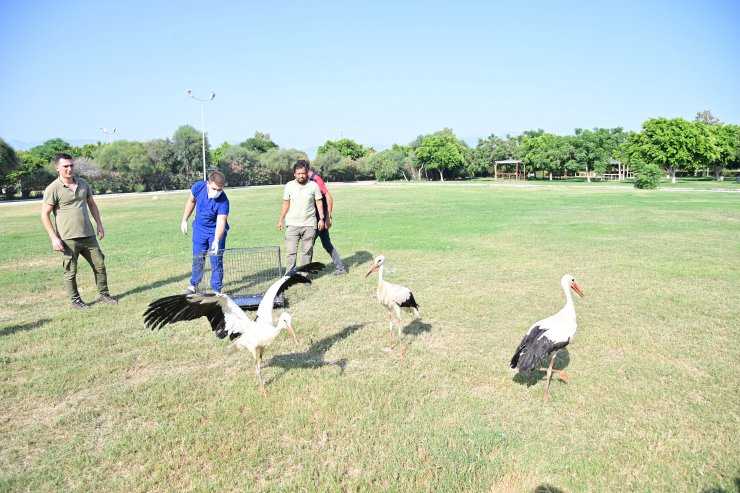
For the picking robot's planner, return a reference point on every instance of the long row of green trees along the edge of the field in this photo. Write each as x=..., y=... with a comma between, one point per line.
x=661, y=146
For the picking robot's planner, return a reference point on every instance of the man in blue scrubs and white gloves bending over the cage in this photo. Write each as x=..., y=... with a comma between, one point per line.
x=209, y=228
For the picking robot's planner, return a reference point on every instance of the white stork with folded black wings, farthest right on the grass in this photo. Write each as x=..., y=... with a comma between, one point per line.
x=549, y=336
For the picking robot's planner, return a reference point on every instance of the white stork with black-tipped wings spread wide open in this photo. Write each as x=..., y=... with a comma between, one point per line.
x=227, y=319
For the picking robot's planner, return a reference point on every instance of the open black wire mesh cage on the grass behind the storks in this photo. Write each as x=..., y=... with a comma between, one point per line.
x=247, y=273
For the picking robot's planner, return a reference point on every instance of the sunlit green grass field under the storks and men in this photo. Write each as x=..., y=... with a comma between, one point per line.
x=92, y=401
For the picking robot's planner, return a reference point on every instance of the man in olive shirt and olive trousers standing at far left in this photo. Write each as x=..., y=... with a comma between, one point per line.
x=70, y=199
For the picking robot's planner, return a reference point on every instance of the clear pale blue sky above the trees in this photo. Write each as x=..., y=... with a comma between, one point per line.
x=378, y=72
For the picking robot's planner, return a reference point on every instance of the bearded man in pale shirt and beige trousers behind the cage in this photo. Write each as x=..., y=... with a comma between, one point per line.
x=301, y=199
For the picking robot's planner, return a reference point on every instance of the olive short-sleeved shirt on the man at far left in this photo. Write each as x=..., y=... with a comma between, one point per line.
x=70, y=208
